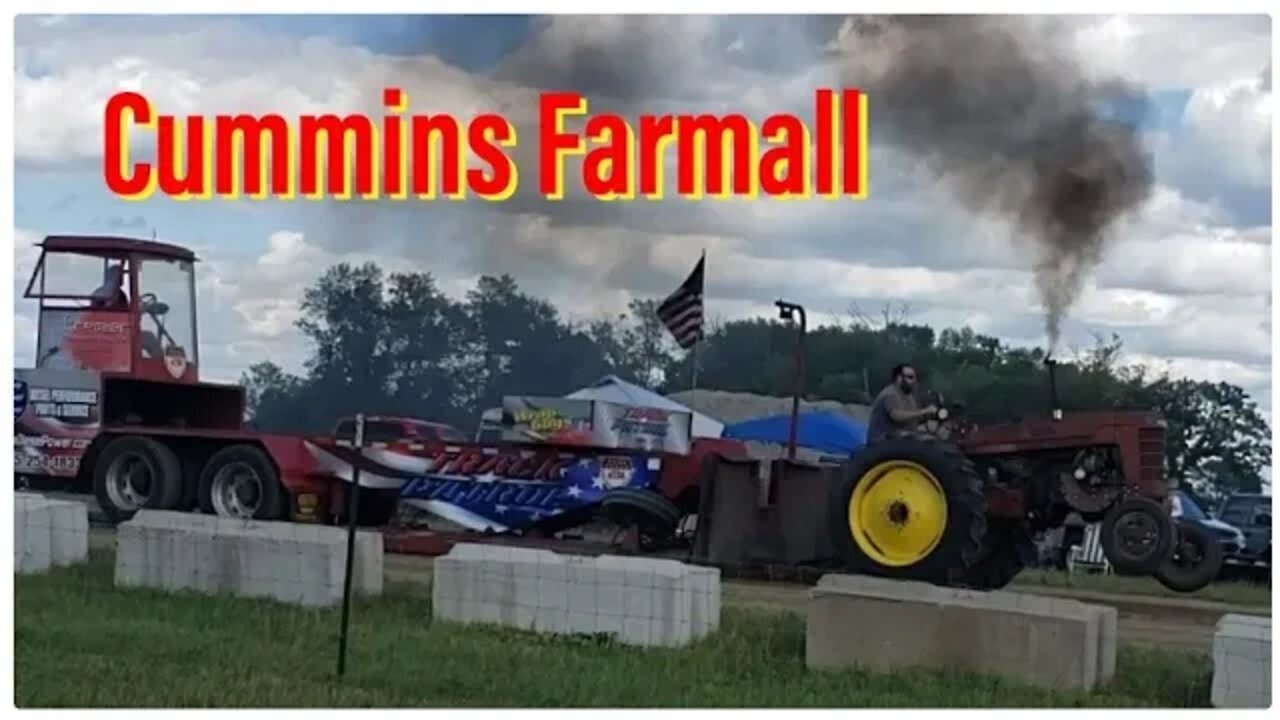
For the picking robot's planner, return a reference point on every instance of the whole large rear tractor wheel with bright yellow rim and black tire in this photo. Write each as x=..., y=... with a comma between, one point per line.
x=909, y=508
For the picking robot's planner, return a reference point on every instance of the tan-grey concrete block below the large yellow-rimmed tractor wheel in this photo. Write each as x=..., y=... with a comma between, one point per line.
x=883, y=625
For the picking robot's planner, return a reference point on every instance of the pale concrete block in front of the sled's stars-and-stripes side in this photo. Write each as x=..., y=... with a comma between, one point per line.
x=637, y=600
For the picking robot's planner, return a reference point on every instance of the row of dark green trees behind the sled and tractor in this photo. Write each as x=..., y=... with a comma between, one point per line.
x=396, y=345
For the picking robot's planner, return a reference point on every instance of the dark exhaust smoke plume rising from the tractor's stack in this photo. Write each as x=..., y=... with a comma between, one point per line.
x=1002, y=115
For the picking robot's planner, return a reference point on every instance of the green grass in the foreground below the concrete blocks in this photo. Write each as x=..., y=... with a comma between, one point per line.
x=83, y=644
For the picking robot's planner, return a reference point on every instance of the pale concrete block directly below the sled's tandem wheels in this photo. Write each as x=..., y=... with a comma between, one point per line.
x=285, y=562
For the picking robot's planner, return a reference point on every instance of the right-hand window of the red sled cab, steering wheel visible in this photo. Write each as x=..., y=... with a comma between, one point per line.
x=167, y=309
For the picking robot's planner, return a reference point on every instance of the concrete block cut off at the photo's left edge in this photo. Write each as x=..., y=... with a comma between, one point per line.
x=48, y=534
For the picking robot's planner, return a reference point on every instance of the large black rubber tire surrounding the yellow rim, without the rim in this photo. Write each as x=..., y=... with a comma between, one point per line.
x=959, y=544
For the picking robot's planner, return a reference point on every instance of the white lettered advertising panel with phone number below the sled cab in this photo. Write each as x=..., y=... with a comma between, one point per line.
x=56, y=421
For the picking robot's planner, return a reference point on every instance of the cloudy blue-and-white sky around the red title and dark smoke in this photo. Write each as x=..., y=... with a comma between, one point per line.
x=1186, y=281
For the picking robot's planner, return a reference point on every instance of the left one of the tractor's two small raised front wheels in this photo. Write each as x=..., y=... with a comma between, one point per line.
x=1137, y=536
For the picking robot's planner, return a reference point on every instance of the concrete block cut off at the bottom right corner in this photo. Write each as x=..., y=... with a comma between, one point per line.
x=1242, y=662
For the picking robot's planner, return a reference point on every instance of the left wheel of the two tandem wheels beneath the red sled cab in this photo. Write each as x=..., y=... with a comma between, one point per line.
x=120, y=504
